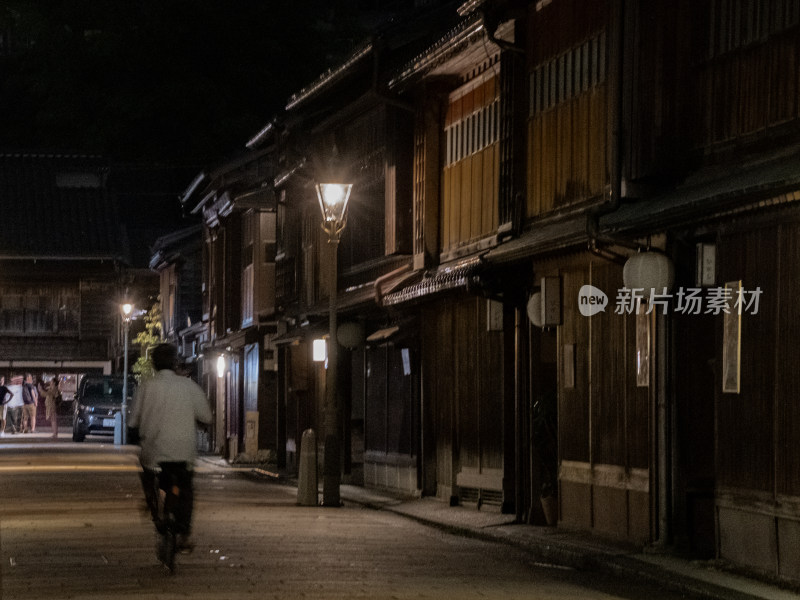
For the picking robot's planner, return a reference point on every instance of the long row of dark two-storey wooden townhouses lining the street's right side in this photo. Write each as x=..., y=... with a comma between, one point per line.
x=512, y=151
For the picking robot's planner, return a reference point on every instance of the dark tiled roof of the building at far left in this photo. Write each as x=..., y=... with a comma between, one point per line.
x=57, y=206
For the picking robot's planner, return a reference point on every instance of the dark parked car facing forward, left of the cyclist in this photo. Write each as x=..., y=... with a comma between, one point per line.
x=97, y=402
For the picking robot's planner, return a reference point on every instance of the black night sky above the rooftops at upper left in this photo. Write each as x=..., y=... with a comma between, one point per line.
x=177, y=81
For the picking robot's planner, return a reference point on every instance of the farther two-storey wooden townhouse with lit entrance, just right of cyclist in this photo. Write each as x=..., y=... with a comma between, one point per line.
x=238, y=303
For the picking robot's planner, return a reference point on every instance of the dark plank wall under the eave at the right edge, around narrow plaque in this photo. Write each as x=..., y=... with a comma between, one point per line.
x=758, y=441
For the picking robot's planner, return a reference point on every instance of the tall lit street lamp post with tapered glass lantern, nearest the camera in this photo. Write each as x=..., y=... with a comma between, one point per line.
x=333, y=199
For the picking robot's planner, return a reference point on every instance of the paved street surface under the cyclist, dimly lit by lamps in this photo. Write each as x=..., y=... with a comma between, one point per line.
x=73, y=527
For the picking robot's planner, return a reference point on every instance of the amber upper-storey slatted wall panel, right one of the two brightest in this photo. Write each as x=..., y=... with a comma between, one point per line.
x=568, y=128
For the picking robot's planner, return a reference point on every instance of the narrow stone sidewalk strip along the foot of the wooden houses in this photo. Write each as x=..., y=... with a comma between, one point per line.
x=705, y=579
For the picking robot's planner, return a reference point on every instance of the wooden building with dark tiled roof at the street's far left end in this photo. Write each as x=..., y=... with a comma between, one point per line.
x=65, y=268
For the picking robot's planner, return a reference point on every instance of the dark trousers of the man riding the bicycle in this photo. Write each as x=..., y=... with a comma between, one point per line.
x=176, y=481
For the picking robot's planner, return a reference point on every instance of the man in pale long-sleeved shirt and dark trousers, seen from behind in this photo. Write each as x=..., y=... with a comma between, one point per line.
x=166, y=409
